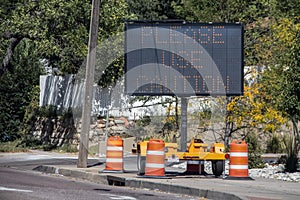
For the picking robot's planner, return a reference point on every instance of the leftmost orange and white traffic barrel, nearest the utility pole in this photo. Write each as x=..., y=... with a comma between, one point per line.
x=114, y=154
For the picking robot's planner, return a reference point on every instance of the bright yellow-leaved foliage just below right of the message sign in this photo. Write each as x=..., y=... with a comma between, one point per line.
x=253, y=111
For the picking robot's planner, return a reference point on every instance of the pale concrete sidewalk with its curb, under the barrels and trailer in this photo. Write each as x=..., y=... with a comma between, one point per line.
x=200, y=186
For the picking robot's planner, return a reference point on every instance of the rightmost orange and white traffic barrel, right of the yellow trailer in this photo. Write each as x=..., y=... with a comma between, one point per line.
x=238, y=162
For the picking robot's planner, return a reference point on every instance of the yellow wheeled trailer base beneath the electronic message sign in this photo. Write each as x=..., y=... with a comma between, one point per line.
x=196, y=151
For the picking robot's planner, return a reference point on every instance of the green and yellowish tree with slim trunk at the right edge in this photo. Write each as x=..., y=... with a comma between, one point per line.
x=282, y=79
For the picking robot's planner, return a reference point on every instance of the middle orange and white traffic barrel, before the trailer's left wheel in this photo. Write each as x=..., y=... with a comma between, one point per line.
x=155, y=158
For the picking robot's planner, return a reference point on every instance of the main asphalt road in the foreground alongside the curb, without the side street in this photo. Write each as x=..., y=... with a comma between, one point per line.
x=27, y=185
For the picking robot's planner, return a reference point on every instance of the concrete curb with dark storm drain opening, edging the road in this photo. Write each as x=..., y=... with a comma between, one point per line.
x=137, y=183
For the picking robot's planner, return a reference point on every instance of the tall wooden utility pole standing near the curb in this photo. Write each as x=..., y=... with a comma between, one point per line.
x=89, y=82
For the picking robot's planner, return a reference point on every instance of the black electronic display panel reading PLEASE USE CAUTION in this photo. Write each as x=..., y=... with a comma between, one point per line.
x=184, y=59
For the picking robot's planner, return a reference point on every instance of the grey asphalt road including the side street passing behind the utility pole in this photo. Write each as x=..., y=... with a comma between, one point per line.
x=19, y=182
